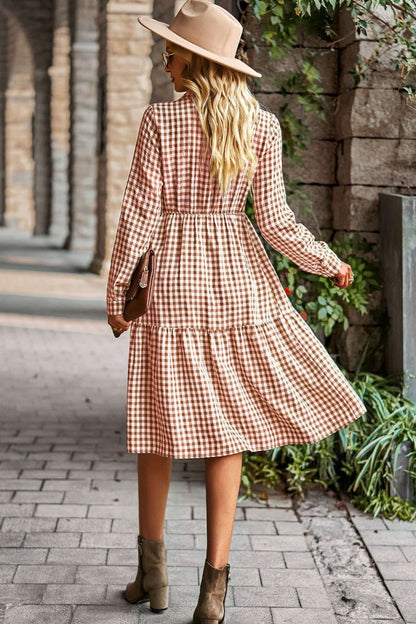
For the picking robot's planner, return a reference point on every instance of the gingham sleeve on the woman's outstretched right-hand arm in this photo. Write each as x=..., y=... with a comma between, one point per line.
x=277, y=222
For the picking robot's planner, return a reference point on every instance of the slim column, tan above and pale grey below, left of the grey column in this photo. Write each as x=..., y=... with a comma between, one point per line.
x=60, y=109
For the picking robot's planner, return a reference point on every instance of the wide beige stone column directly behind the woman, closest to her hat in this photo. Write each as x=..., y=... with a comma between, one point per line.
x=128, y=90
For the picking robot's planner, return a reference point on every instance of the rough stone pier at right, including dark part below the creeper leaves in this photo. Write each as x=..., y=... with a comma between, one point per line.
x=376, y=133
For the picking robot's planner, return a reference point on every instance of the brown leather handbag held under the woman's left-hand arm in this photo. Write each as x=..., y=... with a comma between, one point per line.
x=139, y=293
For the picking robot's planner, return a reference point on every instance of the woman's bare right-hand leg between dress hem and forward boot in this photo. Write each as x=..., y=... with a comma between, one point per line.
x=223, y=476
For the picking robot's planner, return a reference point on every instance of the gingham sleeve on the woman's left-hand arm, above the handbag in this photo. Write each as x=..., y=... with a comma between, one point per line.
x=139, y=212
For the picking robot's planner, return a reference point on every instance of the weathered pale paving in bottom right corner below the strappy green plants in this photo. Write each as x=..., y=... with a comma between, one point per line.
x=342, y=541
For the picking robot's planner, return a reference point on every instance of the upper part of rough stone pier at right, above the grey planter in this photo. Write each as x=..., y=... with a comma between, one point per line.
x=376, y=130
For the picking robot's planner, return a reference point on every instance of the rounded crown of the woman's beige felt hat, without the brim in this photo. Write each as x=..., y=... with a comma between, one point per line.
x=209, y=26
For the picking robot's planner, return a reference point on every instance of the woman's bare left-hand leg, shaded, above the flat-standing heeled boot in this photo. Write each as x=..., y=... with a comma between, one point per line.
x=154, y=473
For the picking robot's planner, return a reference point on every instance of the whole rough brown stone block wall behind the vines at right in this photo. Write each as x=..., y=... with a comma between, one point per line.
x=366, y=145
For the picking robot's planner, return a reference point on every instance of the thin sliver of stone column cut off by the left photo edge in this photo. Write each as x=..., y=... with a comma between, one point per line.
x=3, y=86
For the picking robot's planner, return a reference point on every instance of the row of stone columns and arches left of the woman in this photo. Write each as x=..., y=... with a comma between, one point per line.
x=75, y=77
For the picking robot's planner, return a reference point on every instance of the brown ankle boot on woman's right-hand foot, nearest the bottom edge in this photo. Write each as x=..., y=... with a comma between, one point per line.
x=211, y=603
